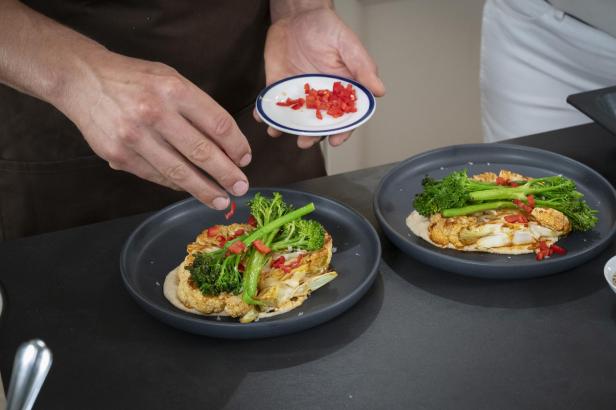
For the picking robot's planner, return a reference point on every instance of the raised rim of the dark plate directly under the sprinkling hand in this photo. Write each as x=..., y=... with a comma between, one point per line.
x=244, y=330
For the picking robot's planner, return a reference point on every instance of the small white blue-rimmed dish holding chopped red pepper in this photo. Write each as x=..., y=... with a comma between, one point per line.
x=304, y=120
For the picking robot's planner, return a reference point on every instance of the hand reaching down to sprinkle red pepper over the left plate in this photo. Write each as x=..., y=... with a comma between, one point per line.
x=145, y=118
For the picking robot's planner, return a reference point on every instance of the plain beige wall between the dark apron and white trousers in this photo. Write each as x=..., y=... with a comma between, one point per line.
x=428, y=57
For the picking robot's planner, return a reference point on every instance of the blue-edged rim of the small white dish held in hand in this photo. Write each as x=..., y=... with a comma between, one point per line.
x=281, y=127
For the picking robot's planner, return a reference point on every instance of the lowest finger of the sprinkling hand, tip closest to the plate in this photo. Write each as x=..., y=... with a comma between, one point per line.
x=177, y=170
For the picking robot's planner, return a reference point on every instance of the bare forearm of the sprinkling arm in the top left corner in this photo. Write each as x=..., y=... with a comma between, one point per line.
x=39, y=56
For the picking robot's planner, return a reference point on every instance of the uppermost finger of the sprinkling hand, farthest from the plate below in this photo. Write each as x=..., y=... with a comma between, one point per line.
x=212, y=120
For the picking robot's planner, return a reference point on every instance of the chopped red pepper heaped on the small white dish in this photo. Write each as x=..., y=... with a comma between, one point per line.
x=337, y=102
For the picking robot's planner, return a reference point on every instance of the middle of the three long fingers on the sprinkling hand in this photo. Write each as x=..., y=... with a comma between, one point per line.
x=204, y=153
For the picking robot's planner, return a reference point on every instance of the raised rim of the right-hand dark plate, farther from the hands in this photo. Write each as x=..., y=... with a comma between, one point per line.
x=428, y=255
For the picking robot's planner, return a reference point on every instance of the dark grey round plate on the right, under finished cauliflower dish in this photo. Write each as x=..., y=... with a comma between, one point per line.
x=395, y=194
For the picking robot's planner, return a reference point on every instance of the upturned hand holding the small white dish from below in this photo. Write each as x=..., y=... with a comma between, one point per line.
x=317, y=41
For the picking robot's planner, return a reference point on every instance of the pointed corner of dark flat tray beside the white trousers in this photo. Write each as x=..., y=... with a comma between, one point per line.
x=600, y=105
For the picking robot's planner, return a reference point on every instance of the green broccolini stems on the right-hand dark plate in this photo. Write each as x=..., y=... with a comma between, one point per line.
x=457, y=195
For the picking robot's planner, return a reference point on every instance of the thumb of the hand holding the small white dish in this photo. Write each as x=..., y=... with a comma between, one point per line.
x=360, y=64
